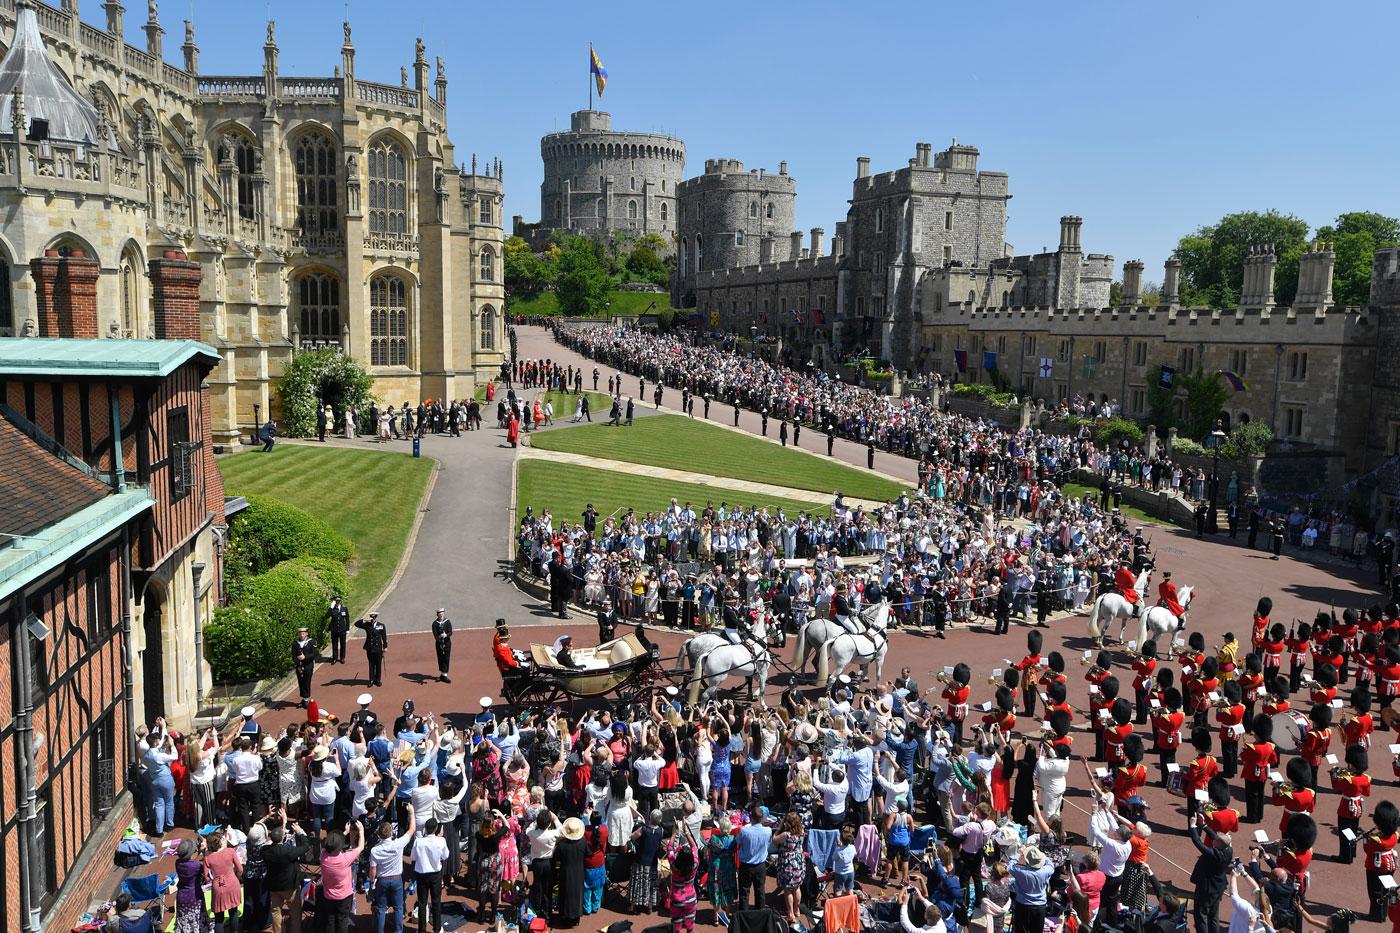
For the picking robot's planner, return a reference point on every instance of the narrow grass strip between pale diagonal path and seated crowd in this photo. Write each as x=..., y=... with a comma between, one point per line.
x=568, y=490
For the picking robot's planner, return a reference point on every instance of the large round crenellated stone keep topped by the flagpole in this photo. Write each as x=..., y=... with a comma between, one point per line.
x=600, y=181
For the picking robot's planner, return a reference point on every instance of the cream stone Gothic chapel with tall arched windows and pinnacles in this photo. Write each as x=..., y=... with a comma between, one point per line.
x=318, y=211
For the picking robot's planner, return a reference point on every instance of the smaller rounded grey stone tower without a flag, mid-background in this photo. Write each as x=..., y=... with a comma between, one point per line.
x=731, y=218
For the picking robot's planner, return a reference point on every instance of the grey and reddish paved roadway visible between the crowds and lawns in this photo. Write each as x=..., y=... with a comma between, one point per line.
x=460, y=558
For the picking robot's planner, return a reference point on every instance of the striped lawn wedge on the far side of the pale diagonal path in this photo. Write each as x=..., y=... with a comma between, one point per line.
x=684, y=443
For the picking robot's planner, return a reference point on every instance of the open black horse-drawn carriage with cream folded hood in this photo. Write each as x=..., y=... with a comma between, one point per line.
x=628, y=668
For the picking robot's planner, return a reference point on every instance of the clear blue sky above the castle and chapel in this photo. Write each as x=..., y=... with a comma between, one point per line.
x=1146, y=120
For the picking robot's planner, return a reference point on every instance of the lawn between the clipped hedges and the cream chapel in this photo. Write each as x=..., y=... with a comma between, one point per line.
x=323, y=481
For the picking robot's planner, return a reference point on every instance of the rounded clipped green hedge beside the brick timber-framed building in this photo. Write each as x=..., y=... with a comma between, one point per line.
x=254, y=641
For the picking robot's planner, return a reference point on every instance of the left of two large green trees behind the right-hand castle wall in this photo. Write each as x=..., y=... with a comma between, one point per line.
x=1213, y=258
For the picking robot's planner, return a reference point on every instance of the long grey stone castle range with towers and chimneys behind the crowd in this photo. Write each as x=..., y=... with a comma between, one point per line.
x=919, y=274
